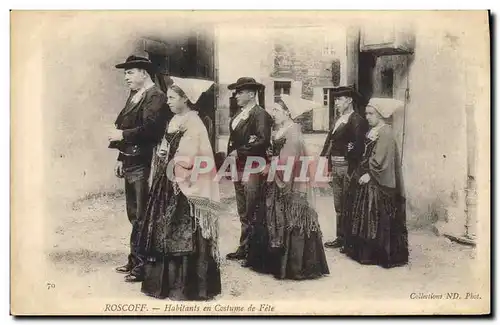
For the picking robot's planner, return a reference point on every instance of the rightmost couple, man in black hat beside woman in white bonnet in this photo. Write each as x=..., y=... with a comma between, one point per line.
x=367, y=182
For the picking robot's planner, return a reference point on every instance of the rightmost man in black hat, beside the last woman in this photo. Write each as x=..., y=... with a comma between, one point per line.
x=344, y=147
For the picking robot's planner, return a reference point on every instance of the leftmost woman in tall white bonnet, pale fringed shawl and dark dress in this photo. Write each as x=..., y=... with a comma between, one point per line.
x=179, y=235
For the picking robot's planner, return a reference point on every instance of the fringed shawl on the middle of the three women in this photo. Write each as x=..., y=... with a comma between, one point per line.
x=296, y=195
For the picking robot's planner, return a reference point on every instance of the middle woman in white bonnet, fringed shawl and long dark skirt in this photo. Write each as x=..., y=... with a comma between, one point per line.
x=287, y=241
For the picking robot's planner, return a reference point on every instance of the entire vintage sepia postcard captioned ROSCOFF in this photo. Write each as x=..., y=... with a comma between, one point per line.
x=250, y=163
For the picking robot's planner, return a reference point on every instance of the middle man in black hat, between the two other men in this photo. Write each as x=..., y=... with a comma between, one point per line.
x=250, y=136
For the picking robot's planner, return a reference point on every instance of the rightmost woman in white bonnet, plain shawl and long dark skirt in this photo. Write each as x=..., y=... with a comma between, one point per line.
x=376, y=230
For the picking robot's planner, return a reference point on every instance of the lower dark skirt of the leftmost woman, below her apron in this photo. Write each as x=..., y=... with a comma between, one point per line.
x=188, y=277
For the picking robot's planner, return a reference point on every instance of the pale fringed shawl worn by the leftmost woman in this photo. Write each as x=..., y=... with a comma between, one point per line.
x=202, y=191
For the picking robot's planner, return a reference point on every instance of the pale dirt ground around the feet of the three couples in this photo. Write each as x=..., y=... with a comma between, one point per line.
x=90, y=238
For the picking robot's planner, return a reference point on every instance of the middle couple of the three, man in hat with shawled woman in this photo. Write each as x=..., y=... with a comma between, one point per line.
x=280, y=232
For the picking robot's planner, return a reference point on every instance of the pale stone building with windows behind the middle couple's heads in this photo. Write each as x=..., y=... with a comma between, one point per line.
x=298, y=61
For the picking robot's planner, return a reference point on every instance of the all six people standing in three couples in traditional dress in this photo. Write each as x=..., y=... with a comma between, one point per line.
x=174, y=243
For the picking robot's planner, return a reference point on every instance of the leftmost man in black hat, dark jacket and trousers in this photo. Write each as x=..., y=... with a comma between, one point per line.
x=138, y=129
